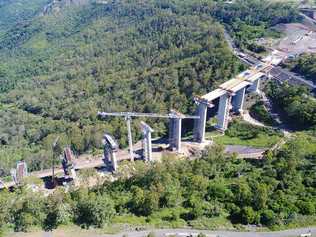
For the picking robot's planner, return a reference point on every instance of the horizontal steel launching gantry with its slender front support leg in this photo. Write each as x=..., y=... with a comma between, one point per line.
x=128, y=117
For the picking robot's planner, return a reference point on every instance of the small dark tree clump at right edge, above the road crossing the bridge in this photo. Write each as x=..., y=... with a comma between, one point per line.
x=304, y=65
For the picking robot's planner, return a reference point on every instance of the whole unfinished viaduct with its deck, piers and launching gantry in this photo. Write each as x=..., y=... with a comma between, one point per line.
x=231, y=96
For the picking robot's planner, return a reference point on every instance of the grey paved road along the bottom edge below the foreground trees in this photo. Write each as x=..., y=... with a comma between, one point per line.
x=187, y=232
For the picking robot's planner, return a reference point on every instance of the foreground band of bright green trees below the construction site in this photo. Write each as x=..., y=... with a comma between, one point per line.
x=214, y=191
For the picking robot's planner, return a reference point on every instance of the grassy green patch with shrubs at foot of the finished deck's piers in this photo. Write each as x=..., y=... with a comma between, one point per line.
x=242, y=133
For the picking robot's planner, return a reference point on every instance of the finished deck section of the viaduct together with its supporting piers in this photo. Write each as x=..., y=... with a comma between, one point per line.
x=231, y=94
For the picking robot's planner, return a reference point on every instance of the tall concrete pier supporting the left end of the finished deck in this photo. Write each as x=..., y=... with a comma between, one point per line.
x=199, y=124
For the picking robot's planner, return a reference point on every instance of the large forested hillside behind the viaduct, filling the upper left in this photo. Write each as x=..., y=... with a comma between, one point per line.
x=59, y=68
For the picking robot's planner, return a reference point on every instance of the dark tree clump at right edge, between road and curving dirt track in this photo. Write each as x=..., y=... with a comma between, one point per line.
x=296, y=103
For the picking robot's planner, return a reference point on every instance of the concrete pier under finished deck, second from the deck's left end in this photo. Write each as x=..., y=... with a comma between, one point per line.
x=223, y=112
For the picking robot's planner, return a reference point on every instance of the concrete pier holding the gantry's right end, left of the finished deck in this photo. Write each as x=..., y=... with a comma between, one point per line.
x=175, y=133
